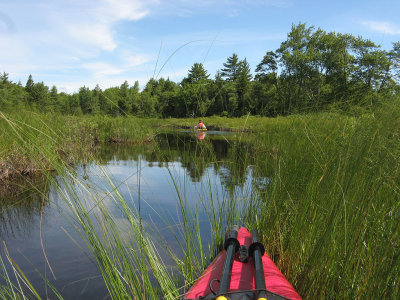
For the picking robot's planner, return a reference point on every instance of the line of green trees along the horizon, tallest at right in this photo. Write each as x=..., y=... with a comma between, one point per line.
x=312, y=70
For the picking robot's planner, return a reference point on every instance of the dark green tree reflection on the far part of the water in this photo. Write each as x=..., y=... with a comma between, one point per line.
x=229, y=158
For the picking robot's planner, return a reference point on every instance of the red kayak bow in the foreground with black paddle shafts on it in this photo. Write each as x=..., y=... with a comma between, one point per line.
x=246, y=275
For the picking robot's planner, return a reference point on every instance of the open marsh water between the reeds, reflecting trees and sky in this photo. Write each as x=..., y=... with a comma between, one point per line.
x=35, y=221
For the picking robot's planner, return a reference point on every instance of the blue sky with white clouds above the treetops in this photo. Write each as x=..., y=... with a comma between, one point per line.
x=75, y=43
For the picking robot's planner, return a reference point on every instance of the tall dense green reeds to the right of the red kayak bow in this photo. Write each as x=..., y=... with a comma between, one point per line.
x=330, y=218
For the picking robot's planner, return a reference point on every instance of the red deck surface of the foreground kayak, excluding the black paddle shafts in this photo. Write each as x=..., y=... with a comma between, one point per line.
x=242, y=277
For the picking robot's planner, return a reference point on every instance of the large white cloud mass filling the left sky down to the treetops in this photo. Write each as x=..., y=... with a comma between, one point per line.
x=62, y=41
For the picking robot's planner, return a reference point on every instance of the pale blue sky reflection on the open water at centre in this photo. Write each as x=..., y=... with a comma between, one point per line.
x=154, y=186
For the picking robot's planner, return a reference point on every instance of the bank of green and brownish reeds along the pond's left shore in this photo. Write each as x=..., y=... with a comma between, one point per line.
x=30, y=141
